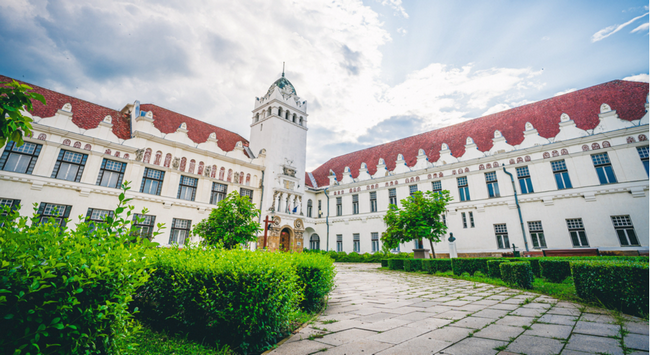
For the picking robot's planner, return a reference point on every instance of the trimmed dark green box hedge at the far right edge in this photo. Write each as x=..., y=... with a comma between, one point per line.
x=621, y=285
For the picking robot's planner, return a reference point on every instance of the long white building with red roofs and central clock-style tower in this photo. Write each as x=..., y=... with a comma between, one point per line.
x=579, y=164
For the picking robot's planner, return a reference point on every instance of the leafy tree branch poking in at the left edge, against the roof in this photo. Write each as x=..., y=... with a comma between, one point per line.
x=14, y=98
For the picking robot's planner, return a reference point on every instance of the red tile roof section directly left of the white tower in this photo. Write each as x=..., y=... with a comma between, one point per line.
x=168, y=122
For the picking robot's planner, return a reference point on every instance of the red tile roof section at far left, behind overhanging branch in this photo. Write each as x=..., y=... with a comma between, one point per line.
x=86, y=115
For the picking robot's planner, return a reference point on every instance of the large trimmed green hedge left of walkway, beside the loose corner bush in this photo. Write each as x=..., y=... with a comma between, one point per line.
x=240, y=298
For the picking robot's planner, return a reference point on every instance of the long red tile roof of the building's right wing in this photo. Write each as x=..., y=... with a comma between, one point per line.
x=583, y=106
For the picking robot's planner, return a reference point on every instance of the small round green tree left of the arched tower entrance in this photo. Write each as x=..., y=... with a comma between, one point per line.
x=231, y=223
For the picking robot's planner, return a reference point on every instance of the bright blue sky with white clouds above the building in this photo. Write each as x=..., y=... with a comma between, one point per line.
x=372, y=71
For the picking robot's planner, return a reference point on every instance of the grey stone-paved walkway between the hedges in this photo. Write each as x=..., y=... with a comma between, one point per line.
x=372, y=311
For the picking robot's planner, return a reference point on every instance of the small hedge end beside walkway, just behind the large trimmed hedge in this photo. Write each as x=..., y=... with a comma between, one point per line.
x=315, y=278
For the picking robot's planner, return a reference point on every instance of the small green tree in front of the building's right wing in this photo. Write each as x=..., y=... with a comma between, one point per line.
x=420, y=218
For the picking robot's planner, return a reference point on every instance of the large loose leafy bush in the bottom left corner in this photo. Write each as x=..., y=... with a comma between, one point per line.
x=67, y=291
